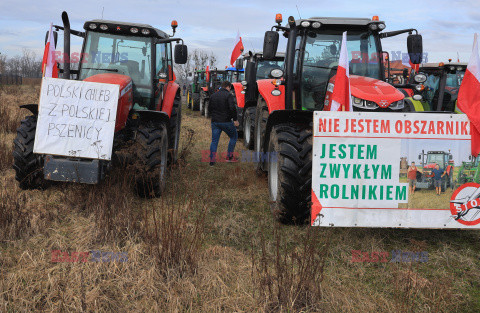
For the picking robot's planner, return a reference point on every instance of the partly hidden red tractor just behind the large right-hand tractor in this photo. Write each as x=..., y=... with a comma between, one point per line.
x=246, y=92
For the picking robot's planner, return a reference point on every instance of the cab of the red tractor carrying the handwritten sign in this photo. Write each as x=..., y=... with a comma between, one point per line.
x=138, y=51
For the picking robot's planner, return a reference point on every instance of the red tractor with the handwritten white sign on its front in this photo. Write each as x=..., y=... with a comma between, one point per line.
x=148, y=112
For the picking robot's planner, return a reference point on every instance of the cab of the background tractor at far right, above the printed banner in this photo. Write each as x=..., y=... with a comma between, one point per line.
x=442, y=83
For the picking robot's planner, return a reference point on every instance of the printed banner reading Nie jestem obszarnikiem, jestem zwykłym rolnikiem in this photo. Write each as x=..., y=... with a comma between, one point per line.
x=408, y=170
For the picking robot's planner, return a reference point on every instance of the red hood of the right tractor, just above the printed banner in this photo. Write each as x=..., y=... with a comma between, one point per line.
x=374, y=90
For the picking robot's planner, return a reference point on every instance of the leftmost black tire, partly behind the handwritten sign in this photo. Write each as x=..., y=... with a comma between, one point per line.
x=27, y=165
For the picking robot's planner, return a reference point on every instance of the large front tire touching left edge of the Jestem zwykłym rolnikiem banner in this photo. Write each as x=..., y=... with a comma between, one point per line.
x=290, y=172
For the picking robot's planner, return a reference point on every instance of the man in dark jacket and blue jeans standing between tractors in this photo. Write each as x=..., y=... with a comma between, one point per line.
x=224, y=118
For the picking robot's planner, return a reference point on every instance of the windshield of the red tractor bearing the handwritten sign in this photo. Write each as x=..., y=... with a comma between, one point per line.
x=130, y=56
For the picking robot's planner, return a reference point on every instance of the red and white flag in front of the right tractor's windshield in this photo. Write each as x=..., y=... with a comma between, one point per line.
x=341, y=96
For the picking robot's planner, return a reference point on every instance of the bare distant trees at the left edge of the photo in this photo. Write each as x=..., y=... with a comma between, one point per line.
x=26, y=65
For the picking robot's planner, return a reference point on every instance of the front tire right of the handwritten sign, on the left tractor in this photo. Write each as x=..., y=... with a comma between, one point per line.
x=151, y=160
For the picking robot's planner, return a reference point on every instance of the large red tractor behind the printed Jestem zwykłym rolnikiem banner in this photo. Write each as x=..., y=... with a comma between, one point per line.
x=284, y=112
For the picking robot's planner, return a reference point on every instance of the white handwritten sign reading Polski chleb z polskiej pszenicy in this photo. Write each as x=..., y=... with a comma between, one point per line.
x=76, y=119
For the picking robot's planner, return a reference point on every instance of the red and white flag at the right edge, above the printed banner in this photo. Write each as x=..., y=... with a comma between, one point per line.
x=469, y=96
